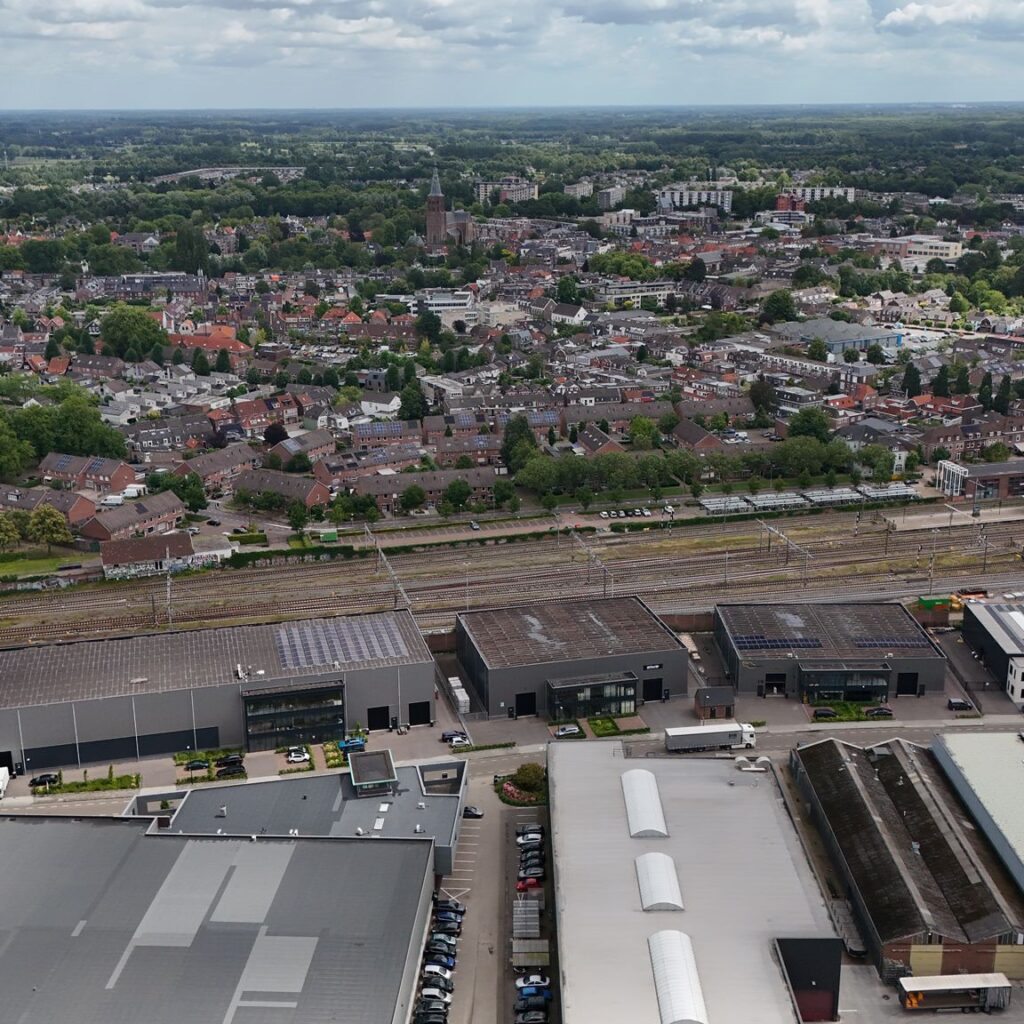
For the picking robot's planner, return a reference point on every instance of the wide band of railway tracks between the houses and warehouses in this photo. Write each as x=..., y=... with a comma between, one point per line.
x=675, y=570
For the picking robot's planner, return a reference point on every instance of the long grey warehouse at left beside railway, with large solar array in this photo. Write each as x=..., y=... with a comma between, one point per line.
x=255, y=687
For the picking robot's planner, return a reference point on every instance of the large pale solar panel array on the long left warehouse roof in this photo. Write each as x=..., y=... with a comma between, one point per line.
x=305, y=646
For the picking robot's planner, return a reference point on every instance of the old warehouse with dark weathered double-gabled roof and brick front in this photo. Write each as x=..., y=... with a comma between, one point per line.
x=921, y=895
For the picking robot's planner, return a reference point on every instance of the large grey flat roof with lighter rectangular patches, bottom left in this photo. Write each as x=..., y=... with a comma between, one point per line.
x=104, y=923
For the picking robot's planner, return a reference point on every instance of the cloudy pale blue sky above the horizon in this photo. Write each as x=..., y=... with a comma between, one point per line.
x=360, y=54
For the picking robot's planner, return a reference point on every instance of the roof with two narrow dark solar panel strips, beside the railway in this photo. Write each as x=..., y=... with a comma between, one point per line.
x=836, y=632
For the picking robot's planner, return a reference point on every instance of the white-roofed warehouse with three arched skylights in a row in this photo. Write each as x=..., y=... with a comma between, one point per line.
x=663, y=908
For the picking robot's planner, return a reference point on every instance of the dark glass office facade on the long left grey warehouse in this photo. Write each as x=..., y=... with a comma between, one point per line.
x=283, y=718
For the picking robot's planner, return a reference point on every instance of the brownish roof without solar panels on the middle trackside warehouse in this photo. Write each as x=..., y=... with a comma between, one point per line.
x=563, y=631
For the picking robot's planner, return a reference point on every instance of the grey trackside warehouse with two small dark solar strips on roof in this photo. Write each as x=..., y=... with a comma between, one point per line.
x=828, y=652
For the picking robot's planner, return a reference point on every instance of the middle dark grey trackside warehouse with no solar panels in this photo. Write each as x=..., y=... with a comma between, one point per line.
x=570, y=659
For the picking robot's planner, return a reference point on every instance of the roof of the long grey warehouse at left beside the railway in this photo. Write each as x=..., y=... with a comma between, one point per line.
x=161, y=662
